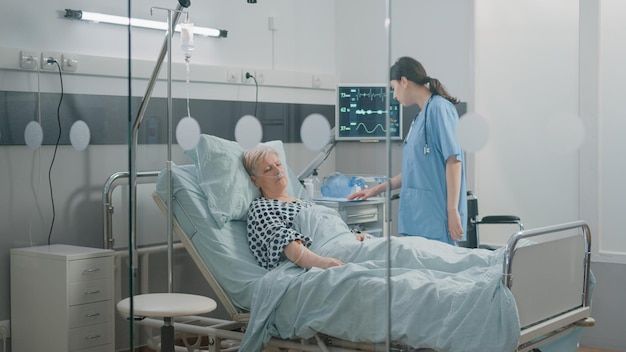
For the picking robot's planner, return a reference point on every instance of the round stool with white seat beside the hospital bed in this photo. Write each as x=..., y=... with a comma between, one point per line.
x=167, y=306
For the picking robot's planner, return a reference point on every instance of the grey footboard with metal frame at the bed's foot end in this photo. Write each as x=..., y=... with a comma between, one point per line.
x=550, y=280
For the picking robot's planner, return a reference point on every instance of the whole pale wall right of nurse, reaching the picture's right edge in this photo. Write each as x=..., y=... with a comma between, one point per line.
x=536, y=61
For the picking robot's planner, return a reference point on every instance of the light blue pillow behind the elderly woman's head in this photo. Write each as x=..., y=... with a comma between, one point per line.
x=224, y=180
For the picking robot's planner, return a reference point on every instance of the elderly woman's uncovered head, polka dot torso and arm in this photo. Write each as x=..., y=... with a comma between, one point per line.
x=270, y=219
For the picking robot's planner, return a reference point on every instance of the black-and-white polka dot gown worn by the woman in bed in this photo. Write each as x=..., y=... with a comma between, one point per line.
x=270, y=229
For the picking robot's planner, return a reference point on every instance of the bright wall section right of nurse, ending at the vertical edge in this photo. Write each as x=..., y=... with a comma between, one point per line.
x=526, y=56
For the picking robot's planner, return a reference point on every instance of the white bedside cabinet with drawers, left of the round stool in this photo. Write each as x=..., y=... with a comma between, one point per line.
x=62, y=299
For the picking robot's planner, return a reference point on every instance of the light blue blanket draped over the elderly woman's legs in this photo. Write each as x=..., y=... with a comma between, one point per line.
x=443, y=297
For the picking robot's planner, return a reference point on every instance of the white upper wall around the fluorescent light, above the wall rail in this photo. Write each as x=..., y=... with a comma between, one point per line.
x=39, y=25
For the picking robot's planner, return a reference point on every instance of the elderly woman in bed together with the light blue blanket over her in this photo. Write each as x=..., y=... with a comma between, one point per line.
x=440, y=293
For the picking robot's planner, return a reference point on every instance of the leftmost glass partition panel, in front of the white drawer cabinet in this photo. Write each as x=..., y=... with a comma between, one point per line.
x=66, y=109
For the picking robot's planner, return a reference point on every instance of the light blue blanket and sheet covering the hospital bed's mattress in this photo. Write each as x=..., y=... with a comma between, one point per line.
x=430, y=302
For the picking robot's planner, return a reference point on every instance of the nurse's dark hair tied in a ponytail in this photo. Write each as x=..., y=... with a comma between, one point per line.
x=414, y=71
